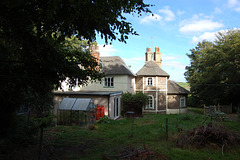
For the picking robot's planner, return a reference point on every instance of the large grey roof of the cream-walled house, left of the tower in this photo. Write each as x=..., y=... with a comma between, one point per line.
x=115, y=65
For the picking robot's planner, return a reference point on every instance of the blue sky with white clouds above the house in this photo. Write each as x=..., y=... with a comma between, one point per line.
x=176, y=27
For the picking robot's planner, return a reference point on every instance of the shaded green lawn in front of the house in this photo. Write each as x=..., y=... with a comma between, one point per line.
x=74, y=142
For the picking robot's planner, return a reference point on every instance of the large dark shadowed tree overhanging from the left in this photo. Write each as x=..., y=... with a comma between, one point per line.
x=33, y=52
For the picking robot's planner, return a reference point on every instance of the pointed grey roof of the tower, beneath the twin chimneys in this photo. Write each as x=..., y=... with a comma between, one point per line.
x=152, y=69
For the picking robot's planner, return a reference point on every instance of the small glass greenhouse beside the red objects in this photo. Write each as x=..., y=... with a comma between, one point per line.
x=76, y=111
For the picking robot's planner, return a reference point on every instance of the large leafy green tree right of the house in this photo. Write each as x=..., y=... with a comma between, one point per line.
x=214, y=73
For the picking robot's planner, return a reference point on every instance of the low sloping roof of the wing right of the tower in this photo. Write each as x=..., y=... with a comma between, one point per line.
x=174, y=88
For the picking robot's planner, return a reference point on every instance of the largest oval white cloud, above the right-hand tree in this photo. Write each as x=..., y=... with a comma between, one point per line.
x=199, y=26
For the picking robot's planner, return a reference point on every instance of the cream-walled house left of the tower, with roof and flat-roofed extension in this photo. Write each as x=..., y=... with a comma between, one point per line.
x=118, y=79
